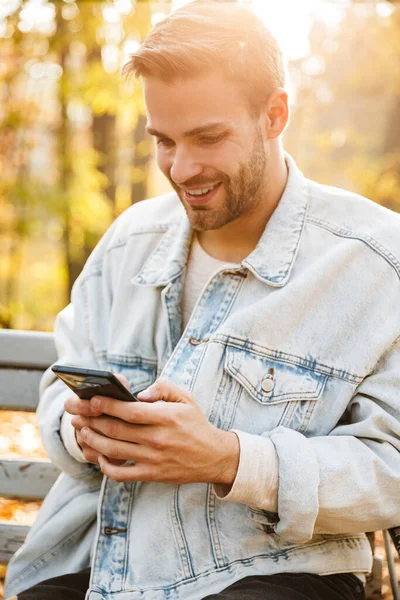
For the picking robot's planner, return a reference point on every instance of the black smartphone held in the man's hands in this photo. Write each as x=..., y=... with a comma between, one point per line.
x=93, y=382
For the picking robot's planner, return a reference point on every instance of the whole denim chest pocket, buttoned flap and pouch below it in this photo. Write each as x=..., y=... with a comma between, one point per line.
x=271, y=392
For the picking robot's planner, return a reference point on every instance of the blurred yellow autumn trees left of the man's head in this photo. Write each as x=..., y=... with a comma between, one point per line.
x=72, y=147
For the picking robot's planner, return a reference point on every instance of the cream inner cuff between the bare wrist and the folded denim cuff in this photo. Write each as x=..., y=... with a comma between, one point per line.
x=256, y=481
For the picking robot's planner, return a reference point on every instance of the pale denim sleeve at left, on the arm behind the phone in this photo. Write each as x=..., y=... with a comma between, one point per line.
x=75, y=346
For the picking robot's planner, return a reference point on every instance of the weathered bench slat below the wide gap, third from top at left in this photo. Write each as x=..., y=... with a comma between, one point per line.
x=26, y=479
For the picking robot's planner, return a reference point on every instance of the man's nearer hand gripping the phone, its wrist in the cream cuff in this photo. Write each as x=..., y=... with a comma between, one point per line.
x=169, y=441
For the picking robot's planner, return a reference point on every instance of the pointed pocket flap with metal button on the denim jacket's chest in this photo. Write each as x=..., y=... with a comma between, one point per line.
x=269, y=380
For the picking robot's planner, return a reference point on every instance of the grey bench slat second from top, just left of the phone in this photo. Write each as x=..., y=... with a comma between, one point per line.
x=19, y=389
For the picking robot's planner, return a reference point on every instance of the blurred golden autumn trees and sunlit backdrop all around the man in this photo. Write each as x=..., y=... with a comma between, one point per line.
x=73, y=152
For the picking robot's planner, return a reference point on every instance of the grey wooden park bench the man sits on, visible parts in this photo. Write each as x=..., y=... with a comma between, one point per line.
x=24, y=356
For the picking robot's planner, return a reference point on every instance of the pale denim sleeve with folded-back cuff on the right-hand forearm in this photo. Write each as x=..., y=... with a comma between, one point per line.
x=349, y=480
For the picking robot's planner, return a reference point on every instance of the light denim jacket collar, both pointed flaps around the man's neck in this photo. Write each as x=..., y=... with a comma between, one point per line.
x=271, y=261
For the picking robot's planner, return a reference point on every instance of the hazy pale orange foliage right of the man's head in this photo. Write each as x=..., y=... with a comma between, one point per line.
x=344, y=128
